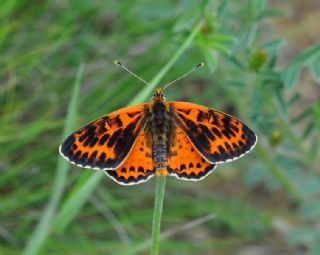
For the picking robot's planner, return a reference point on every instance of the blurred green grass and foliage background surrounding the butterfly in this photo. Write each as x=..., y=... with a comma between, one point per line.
x=57, y=73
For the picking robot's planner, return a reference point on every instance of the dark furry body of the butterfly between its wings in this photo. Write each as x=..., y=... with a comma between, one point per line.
x=160, y=133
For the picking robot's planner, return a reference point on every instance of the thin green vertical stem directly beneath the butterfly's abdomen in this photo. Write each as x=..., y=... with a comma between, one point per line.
x=159, y=195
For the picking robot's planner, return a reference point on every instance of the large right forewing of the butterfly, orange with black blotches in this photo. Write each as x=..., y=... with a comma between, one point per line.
x=217, y=136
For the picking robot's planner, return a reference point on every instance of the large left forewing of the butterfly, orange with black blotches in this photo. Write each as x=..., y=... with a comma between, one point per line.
x=105, y=142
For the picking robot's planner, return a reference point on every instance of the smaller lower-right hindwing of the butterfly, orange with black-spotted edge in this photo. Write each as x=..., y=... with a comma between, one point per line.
x=186, y=163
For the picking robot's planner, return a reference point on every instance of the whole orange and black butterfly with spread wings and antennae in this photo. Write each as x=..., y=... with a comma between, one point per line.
x=180, y=139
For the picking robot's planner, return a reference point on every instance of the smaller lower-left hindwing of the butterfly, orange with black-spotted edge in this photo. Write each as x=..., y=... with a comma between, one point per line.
x=137, y=167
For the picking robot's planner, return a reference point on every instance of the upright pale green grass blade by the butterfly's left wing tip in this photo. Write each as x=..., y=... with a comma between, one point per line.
x=43, y=228
